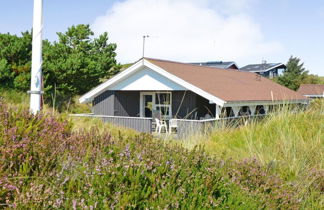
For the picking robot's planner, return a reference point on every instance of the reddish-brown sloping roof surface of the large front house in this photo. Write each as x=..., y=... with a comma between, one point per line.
x=229, y=85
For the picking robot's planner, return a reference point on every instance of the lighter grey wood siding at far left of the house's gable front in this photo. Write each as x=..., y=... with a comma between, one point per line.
x=103, y=104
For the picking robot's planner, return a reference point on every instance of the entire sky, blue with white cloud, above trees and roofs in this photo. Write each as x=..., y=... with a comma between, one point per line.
x=246, y=31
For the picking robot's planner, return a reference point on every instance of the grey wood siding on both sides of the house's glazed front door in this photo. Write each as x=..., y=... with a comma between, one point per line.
x=185, y=104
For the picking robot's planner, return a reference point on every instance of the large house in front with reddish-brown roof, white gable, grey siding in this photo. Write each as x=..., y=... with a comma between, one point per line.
x=171, y=90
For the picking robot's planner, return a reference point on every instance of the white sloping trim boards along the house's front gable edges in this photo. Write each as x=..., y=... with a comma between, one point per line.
x=99, y=89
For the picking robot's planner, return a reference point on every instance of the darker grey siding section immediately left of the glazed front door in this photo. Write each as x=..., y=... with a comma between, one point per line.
x=127, y=103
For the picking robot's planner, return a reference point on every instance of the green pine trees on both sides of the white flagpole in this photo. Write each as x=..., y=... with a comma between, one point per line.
x=73, y=65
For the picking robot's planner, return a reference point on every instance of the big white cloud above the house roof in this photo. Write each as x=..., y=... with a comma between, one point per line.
x=184, y=30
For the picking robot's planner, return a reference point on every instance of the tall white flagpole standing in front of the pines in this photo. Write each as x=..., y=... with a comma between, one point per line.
x=36, y=74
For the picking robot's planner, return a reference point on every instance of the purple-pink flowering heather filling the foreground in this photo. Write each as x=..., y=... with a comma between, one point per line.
x=46, y=165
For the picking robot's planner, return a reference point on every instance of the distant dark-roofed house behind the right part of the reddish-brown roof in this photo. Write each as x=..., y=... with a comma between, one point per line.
x=269, y=70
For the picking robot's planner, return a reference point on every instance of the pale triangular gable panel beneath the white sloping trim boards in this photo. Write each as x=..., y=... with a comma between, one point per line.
x=146, y=79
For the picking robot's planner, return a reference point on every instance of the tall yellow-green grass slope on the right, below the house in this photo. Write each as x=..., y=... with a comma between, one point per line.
x=289, y=144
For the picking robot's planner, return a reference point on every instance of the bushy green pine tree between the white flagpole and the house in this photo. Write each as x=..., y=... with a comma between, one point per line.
x=77, y=62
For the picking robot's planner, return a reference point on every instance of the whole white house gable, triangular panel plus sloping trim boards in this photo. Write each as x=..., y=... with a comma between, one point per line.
x=145, y=76
